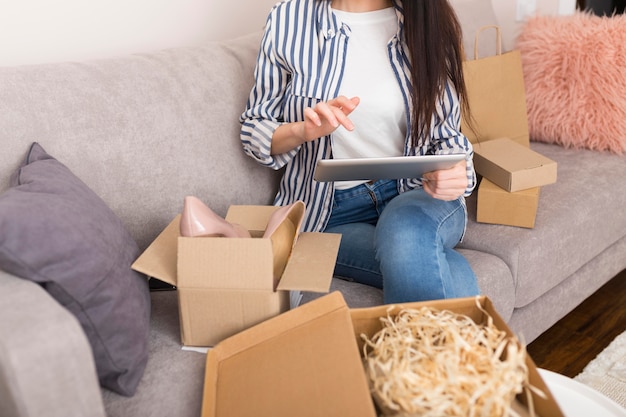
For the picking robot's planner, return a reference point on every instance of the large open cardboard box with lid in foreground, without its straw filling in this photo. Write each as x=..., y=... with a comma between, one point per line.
x=307, y=362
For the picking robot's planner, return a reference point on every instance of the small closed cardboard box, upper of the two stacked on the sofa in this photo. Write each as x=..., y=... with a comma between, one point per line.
x=512, y=166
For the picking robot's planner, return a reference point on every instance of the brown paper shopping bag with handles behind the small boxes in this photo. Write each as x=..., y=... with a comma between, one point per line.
x=496, y=95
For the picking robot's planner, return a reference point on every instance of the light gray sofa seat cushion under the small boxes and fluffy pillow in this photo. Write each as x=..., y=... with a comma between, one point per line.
x=578, y=218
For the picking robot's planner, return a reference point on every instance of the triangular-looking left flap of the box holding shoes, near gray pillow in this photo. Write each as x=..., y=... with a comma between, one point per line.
x=159, y=259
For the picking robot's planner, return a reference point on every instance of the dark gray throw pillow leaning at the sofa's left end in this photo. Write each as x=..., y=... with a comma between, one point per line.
x=59, y=233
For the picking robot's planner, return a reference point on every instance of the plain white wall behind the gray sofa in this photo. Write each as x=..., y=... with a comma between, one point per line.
x=36, y=31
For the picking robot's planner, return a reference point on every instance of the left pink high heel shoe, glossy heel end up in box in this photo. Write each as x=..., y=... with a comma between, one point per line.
x=199, y=220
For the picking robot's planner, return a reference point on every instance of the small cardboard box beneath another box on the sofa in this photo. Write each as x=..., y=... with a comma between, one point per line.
x=498, y=206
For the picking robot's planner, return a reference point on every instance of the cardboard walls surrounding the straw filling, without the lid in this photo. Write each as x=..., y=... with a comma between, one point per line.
x=367, y=321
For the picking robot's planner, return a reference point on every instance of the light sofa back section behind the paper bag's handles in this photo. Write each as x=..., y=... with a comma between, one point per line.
x=474, y=14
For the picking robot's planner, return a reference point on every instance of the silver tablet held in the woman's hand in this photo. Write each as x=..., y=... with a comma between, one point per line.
x=393, y=167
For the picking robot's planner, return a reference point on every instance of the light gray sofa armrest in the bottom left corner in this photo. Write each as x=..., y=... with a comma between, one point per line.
x=46, y=364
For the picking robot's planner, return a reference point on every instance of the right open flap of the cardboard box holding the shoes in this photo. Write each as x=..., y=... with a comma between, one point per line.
x=312, y=263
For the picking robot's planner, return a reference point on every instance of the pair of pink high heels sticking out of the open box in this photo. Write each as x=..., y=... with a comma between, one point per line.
x=199, y=220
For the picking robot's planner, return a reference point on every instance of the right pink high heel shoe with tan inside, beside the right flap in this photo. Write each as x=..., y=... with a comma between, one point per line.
x=283, y=229
